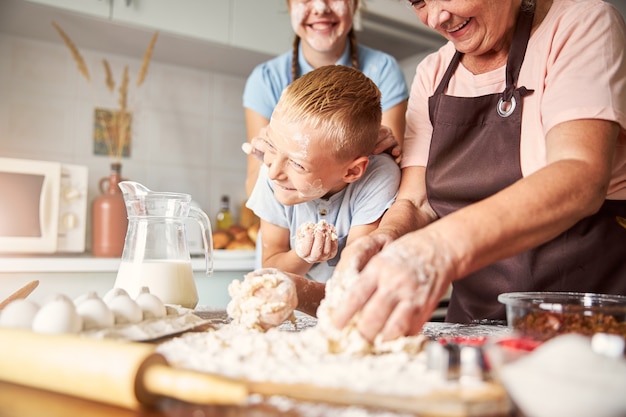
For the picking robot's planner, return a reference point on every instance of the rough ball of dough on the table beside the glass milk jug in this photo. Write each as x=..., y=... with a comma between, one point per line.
x=264, y=299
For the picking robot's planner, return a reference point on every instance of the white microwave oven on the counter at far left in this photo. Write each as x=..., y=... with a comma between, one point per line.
x=43, y=207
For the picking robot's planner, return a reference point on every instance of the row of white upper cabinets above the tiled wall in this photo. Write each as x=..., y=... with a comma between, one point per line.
x=260, y=26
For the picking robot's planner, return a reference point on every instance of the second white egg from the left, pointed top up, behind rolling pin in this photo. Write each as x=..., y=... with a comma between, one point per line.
x=56, y=316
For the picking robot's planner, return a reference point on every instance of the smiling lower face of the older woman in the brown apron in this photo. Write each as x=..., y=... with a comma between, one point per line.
x=476, y=27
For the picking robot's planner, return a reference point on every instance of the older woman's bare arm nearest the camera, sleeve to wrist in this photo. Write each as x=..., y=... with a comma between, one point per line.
x=539, y=207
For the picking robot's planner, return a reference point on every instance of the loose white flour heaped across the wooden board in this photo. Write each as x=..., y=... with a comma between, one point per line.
x=300, y=357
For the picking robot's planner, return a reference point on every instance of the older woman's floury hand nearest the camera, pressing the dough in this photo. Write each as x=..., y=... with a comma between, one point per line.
x=399, y=288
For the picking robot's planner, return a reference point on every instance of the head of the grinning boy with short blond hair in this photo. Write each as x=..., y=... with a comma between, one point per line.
x=317, y=141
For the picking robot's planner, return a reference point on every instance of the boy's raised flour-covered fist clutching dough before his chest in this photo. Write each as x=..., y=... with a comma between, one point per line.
x=316, y=242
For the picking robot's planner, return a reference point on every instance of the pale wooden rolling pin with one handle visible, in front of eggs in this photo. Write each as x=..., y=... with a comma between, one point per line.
x=123, y=374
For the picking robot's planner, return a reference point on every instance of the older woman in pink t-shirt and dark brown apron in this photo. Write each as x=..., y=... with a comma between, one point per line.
x=514, y=168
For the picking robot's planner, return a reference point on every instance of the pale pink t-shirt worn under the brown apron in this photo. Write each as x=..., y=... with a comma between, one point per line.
x=576, y=65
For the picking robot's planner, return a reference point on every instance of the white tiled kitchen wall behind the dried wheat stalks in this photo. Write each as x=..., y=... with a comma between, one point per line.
x=187, y=129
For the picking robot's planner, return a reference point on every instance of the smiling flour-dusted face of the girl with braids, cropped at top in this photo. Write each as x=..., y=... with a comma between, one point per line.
x=323, y=25
